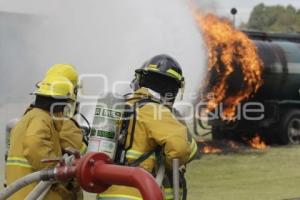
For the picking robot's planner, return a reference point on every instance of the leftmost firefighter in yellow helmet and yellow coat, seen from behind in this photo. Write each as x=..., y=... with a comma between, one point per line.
x=36, y=136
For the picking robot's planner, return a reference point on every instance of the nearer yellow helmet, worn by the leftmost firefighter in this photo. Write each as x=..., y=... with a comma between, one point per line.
x=56, y=87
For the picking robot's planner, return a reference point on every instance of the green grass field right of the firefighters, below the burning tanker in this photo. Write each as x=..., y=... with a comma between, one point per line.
x=251, y=175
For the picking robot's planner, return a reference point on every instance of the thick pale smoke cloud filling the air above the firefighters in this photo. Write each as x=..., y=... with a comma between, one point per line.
x=109, y=37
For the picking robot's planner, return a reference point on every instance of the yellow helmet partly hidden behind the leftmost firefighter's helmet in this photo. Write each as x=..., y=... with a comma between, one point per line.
x=65, y=70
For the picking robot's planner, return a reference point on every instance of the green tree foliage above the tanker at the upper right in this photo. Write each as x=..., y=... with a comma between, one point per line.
x=274, y=19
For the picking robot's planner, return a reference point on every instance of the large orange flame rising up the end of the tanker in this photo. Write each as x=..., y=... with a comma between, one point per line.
x=229, y=51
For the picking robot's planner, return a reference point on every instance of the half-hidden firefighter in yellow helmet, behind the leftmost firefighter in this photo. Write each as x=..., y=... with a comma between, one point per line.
x=70, y=134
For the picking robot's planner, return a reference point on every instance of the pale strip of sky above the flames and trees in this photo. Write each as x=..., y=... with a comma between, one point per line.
x=223, y=7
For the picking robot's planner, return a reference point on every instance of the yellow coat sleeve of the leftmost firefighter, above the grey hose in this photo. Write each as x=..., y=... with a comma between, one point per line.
x=38, y=143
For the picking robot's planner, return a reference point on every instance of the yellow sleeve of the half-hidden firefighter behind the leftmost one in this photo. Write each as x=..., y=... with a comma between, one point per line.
x=70, y=135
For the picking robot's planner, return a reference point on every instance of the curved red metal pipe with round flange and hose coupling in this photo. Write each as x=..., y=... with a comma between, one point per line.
x=95, y=173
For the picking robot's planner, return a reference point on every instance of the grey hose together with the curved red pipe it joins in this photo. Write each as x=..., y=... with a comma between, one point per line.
x=95, y=173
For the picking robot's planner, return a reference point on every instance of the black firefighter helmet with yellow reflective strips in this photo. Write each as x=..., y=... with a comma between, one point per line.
x=164, y=65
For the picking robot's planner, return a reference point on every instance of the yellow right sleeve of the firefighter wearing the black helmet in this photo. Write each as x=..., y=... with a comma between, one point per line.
x=167, y=132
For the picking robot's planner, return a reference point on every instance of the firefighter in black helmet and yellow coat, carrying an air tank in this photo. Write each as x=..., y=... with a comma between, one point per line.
x=156, y=127
